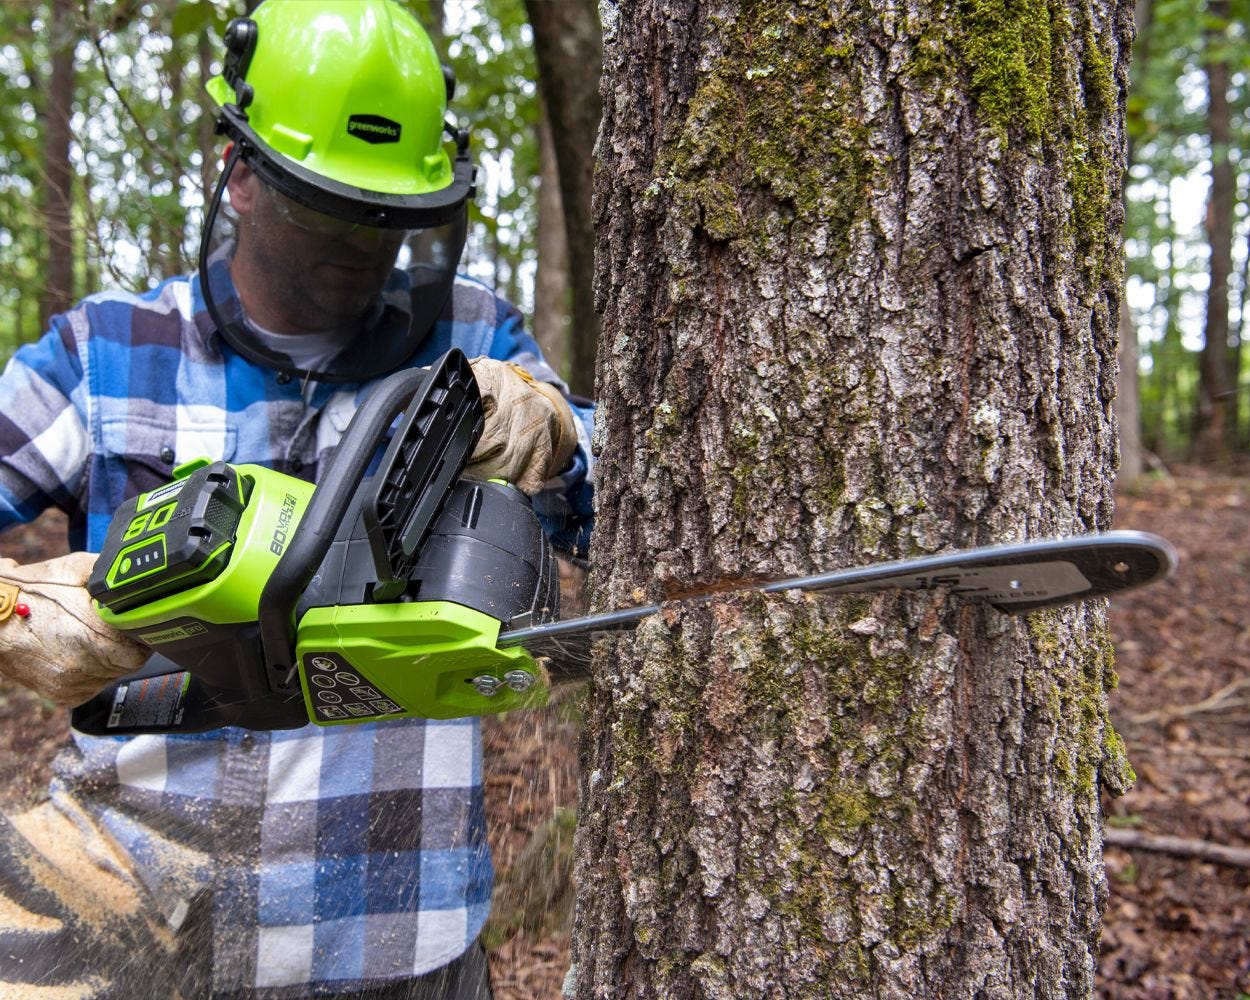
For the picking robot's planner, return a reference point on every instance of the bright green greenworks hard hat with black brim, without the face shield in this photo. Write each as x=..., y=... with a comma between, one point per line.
x=341, y=106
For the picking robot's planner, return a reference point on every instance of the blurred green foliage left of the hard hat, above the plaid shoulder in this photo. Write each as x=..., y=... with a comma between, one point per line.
x=136, y=151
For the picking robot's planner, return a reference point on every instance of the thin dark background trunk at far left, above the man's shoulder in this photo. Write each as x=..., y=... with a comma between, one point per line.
x=58, y=189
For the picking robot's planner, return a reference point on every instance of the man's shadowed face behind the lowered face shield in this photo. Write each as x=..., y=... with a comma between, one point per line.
x=301, y=272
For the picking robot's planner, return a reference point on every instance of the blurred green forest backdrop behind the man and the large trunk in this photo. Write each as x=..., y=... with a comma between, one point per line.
x=107, y=152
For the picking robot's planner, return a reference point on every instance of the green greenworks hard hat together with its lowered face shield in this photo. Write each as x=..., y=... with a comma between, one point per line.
x=339, y=107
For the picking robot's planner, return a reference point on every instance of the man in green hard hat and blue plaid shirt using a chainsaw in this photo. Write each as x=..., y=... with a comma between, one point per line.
x=344, y=862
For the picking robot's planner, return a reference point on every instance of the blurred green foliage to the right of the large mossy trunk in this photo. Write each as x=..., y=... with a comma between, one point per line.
x=1166, y=239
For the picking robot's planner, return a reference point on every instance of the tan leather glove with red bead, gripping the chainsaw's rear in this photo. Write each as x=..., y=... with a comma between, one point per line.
x=57, y=646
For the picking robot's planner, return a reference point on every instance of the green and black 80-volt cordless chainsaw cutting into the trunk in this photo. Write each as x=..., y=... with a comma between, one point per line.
x=411, y=591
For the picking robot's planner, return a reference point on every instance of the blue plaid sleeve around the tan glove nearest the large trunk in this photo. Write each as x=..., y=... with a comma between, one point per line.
x=566, y=507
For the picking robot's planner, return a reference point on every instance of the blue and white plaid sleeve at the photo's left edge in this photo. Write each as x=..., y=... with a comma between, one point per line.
x=44, y=439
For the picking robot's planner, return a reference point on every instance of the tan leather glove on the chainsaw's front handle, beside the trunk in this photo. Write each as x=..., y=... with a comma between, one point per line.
x=529, y=434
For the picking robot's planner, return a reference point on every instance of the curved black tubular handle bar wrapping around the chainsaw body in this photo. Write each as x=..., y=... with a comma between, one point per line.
x=326, y=513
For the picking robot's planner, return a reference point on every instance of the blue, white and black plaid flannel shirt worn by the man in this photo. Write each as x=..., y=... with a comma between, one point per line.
x=338, y=858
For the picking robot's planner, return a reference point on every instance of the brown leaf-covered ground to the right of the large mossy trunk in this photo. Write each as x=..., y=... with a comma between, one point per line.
x=1179, y=928
